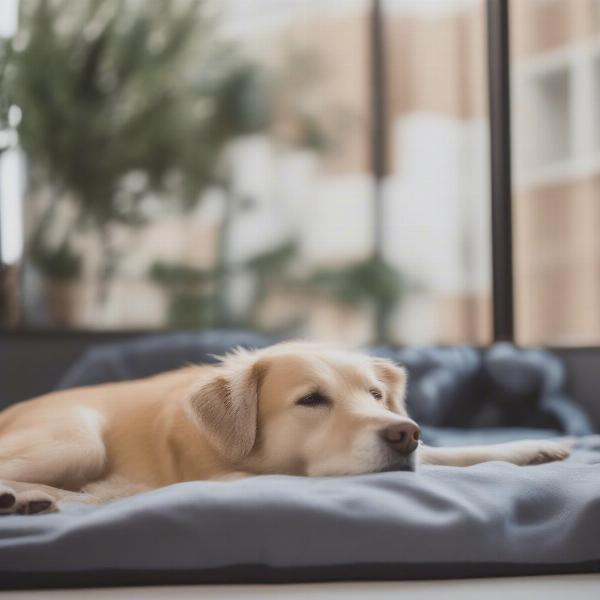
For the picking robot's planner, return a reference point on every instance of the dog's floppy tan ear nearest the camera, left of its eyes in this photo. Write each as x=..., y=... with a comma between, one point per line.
x=226, y=406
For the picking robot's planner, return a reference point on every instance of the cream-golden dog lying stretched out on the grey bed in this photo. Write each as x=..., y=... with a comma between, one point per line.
x=294, y=408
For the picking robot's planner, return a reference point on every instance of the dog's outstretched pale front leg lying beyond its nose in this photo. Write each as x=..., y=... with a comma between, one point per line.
x=522, y=452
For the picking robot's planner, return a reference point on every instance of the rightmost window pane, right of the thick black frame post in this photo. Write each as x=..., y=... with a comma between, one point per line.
x=556, y=158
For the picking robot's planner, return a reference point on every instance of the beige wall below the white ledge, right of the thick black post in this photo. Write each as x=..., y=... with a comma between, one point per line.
x=557, y=259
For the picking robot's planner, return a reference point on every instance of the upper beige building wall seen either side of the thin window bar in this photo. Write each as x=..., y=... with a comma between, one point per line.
x=434, y=64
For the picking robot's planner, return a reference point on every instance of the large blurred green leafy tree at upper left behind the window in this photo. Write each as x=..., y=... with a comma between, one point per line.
x=121, y=100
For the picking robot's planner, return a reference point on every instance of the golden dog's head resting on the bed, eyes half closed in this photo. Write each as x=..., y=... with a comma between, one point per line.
x=299, y=408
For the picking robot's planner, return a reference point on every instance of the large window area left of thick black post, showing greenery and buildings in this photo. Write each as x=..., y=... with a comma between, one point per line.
x=198, y=164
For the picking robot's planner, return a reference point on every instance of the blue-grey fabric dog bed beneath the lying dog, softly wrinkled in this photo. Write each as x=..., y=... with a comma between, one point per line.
x=491, y=519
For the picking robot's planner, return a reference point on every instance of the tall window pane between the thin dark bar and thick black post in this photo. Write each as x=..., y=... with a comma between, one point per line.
x=437, y=211
